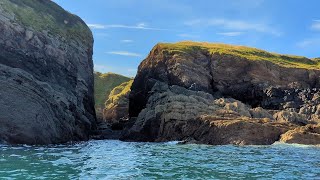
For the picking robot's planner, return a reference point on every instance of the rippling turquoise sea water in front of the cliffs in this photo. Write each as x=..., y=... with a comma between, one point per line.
x=124, y=160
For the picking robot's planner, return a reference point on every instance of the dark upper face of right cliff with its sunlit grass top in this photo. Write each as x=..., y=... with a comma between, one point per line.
x=251, y=76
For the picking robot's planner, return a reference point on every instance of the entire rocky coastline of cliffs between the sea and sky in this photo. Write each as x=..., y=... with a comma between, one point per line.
x=191, y=92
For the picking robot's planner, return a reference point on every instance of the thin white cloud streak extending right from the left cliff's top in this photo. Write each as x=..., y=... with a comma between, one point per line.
x=140, y=26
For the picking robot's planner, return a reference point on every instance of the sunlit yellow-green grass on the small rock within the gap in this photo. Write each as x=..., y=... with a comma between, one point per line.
x=118, y=93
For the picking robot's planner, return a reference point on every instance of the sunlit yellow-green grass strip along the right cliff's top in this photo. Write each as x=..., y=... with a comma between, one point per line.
x=242, y=51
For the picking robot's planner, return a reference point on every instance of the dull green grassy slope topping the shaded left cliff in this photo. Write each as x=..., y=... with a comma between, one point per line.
x=45, y=15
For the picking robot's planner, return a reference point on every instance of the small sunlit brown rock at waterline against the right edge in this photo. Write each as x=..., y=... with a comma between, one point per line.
x=309, y=134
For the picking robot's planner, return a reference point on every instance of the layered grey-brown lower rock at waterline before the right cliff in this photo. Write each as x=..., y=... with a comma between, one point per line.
x=175, y=113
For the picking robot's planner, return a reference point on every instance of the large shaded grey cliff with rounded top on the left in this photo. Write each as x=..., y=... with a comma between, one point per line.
x=46, y=74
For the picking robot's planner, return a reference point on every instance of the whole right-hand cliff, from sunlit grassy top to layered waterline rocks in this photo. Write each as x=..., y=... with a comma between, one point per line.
x=282, y=89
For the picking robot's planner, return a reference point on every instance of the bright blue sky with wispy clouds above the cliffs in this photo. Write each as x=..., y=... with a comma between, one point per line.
x=126, y=30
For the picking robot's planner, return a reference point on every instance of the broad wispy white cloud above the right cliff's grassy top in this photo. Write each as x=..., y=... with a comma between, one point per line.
x=234, y=25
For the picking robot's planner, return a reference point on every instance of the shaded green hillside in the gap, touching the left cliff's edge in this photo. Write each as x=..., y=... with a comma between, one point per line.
x=104, y=84
